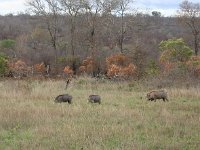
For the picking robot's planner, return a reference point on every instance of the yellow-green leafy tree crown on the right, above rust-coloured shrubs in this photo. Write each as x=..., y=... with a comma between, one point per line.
x=175, y=50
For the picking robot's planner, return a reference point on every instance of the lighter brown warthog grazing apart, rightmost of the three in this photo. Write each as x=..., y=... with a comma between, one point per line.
x=160, y=94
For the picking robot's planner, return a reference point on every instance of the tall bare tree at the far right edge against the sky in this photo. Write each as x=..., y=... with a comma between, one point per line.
x=189, y=14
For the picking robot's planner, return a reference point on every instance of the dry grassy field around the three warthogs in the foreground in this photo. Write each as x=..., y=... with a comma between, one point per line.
x=29, y=118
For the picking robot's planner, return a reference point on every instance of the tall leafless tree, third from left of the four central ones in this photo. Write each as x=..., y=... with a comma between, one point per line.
x=97, y=12
